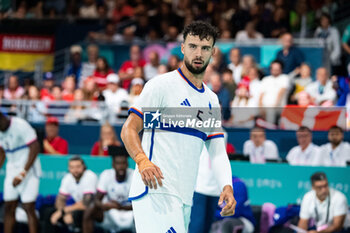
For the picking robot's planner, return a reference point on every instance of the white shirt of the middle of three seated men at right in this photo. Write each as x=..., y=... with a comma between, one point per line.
x=308, y=157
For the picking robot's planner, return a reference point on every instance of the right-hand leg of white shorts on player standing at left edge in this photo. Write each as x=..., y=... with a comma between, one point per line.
x=29, y=189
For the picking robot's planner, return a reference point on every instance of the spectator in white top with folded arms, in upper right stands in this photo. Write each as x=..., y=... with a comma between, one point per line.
x=321, y=90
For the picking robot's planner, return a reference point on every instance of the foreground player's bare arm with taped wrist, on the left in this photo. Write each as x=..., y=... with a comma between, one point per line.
x=130, y=136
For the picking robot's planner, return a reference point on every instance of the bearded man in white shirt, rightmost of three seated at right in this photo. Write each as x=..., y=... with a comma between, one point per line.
x=336, y=152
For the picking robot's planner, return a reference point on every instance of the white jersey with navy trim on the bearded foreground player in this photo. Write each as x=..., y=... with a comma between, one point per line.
x=176, y=152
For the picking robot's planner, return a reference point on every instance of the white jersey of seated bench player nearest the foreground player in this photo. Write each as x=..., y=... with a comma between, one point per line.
x=114, y=190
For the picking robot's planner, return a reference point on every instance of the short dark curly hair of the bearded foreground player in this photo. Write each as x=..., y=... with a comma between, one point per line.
x=202, y=29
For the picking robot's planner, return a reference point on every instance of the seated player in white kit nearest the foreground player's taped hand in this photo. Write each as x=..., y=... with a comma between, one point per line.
x=115, y=212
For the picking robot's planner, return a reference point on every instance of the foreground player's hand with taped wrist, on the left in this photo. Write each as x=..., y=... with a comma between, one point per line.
x=150, y=173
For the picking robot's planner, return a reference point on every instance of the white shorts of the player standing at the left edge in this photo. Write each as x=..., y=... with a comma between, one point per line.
x=27, y=190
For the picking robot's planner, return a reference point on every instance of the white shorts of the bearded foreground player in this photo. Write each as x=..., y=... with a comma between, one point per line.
x=161, y=213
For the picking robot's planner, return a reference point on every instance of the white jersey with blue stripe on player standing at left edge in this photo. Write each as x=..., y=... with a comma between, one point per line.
x=15, y=141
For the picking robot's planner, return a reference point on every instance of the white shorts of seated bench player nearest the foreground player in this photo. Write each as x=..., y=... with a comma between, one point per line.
x=118, y=220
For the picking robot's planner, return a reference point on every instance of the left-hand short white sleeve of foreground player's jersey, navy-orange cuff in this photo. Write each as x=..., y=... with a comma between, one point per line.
x=149, y=98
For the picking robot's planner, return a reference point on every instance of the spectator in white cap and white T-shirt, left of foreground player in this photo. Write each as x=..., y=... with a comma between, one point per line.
x=114, y=95
